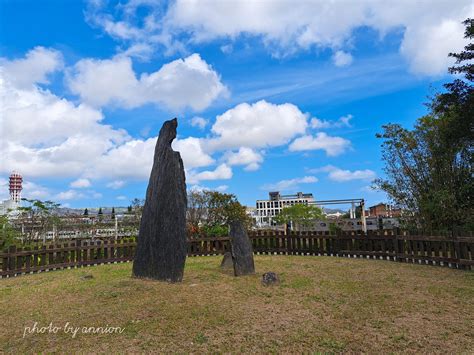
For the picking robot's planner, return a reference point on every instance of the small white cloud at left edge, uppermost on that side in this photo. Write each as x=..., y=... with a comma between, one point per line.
x=34, y=68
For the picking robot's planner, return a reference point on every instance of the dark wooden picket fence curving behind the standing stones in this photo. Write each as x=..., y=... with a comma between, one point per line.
x=455, y=252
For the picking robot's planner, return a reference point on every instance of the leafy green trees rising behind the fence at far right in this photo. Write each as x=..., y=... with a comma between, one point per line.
x=429, y=169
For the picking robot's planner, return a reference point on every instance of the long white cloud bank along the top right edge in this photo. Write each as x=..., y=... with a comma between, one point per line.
x=431, y=29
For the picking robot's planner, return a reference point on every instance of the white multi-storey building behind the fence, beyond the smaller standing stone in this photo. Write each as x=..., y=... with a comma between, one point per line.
x=266, y=210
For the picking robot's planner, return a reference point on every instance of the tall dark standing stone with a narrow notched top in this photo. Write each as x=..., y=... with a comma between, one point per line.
x=161, y=244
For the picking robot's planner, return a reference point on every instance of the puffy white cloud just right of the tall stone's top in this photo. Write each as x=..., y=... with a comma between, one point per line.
x=261, y=124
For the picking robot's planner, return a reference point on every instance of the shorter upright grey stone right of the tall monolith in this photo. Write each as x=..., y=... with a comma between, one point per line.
x=242, y=252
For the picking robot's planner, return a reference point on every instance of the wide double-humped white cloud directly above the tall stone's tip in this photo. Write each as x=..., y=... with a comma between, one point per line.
x=182, y=83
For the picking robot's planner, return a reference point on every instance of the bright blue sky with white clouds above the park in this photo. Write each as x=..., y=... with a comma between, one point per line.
x=269, y=95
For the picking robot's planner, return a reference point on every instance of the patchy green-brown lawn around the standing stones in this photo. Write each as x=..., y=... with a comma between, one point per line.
x=323, y=304
